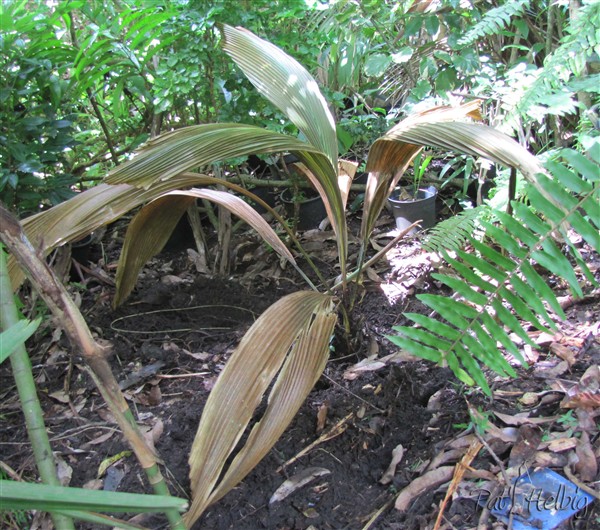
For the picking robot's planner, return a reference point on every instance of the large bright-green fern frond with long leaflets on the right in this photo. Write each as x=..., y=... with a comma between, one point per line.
x=498, y=292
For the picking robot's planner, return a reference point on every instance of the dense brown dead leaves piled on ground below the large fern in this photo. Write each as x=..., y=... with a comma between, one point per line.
x=555, y=426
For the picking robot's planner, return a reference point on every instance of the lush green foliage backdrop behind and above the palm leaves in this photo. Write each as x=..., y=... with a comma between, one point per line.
x=84, y=83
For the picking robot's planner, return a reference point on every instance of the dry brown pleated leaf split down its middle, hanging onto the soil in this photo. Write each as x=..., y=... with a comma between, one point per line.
x=289, y=341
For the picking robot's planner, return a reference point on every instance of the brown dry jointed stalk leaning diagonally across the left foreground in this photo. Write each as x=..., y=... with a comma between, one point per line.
x=66, y=312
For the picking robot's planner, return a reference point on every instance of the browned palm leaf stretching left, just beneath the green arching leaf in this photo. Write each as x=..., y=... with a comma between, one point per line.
x=90, y=210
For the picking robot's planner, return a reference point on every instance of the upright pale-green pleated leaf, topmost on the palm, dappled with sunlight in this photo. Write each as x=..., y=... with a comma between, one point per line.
x=287, y=84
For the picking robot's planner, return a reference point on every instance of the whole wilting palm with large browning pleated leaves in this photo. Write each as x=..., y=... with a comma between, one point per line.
x=287, y=347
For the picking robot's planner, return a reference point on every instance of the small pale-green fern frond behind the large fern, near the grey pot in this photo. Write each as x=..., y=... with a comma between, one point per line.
x=452, y=233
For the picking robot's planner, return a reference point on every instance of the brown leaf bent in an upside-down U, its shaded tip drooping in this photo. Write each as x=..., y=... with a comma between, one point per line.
x=151, y=228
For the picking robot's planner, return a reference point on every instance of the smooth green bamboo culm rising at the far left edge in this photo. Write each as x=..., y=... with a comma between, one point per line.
x=30, y=404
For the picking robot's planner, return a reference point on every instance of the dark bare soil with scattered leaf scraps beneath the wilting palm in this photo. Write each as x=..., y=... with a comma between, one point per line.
x=172, y=338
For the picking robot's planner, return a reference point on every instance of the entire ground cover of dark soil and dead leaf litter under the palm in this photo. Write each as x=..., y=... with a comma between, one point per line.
x=398, y=442
